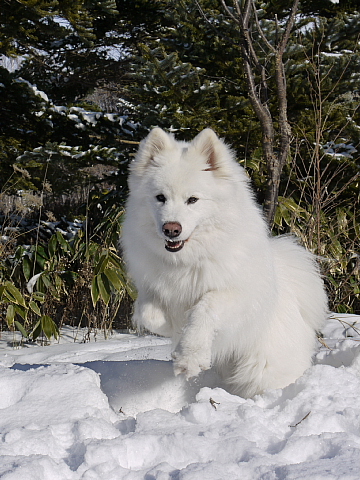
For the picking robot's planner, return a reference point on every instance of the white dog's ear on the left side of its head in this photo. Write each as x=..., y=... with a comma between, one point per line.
x=153, y=144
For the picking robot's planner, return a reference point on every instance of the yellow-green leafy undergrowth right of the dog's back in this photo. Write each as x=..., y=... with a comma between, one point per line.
x=335, y=239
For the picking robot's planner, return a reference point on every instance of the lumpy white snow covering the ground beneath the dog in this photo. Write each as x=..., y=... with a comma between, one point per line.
x=112, y=410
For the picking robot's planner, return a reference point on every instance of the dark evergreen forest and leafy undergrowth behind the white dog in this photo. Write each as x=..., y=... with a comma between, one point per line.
x=82, y=82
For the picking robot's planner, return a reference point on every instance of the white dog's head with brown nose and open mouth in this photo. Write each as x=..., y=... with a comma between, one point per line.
x=184, y=184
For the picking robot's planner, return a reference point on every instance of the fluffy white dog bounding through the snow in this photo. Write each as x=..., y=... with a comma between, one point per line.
x=208, y=273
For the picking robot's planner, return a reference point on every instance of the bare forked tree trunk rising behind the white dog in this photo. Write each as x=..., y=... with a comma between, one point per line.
x=275, y=143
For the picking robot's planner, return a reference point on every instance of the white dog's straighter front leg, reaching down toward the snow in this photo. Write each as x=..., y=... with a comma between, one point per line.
x=194, y=351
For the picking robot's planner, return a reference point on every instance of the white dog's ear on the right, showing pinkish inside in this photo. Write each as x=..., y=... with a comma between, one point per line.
x=216, y=153
